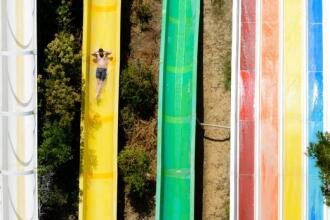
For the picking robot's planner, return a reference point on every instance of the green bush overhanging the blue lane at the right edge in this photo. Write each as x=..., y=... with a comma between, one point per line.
x=320, y=151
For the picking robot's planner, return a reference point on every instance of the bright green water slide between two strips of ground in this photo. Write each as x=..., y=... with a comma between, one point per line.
x=177, y=110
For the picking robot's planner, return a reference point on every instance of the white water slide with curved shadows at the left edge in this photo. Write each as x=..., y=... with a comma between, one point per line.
x=18, y=107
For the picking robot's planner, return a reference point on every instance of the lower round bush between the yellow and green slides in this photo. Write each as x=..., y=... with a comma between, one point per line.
x=134, y=165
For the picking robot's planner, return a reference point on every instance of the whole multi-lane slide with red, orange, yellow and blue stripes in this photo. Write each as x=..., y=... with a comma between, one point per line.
x=280, y=99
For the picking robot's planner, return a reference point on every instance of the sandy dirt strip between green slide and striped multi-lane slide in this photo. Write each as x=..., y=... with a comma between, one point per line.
x=216, y=49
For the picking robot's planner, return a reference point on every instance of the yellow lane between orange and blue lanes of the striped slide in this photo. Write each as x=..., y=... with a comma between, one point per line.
x=293, y=118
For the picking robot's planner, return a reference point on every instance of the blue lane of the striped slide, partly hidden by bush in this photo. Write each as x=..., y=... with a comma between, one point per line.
x=315, y=103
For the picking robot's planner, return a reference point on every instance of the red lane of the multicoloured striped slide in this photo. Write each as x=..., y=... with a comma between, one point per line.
x=246, y=110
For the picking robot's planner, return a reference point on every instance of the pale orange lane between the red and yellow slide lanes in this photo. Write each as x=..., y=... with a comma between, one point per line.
x=269, y=110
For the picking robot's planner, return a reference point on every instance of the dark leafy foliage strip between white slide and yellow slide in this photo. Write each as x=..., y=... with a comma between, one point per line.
x=59, y=110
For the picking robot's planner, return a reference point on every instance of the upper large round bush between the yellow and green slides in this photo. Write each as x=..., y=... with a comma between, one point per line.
x=137, y=90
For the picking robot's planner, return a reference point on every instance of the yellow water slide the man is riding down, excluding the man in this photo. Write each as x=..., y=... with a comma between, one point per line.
x=98, y=177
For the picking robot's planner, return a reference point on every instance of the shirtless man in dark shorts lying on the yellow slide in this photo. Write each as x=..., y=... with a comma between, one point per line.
x=101, y=70
